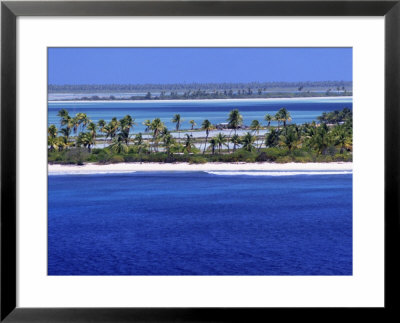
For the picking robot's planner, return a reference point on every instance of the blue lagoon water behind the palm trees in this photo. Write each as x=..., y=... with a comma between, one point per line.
x=304, y=110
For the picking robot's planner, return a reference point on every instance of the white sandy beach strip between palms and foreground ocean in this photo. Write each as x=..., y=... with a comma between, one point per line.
x=138, y=167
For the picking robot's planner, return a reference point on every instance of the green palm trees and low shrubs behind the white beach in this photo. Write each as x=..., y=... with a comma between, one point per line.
x=328, y=140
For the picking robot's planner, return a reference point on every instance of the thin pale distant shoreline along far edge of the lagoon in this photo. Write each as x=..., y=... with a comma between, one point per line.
x=207, y=100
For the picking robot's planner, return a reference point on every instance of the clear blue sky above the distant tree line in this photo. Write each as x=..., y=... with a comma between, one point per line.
x=202, y=65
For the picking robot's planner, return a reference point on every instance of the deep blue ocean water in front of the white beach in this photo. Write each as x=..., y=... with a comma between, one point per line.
x=199, y=223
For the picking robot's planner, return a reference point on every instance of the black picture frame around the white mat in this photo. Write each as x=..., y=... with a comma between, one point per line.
x=10, y=10
